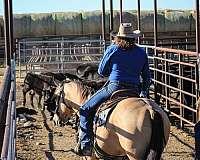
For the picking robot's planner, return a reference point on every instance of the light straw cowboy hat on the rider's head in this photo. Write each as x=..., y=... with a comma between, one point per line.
x=126, y=30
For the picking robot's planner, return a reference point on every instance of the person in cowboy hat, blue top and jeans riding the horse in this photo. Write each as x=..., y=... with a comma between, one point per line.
x=124, y=63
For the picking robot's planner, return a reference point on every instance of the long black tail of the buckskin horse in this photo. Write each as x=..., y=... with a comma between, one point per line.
x=157, y=138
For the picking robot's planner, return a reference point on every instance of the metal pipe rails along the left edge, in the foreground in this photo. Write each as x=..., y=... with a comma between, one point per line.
x=8, y=114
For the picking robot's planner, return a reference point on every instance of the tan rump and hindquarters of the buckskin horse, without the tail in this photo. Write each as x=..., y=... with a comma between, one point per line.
x=130, y=123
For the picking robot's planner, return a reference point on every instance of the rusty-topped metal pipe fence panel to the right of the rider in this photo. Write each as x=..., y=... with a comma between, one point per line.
x=175, y=82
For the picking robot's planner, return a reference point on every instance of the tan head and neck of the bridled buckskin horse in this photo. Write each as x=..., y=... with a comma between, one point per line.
x=69, y=95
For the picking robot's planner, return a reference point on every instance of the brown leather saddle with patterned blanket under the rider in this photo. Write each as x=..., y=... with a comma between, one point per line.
x=106, y=108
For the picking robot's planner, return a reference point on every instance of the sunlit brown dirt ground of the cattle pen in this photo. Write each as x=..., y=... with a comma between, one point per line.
x=39, y=139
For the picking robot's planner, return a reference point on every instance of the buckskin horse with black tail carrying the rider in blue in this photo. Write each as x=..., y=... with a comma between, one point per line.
x=137, y=128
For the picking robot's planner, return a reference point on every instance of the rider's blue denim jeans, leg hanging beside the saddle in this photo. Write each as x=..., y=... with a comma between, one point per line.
x=88, y=110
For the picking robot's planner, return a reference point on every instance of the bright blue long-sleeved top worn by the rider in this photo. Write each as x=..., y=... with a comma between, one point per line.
x=126, y=65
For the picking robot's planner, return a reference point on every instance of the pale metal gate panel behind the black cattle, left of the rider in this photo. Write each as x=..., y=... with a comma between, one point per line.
x=57, y=55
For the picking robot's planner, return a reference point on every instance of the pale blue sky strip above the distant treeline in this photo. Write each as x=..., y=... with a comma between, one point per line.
x=46, y=6
